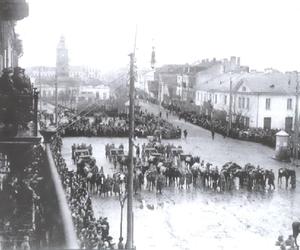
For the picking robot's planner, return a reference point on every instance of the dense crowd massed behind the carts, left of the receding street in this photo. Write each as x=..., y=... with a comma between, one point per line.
x=118, y=126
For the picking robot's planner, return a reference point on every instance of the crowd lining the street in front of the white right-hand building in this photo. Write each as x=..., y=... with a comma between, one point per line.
x=259, y=135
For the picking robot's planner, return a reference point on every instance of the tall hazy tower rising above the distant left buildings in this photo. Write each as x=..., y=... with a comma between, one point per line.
x=62, y=59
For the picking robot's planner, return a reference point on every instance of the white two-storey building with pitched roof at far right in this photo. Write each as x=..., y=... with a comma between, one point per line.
x=259, y=99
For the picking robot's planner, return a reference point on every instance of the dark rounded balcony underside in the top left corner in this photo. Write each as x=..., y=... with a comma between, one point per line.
x=13, y=10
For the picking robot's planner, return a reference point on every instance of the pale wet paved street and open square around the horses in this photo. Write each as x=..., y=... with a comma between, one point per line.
x=193, y=219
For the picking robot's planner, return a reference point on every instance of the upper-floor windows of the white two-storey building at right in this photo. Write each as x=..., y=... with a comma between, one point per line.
x=242, y=101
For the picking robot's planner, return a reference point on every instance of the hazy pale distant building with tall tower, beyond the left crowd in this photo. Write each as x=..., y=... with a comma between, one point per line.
x=71, y=86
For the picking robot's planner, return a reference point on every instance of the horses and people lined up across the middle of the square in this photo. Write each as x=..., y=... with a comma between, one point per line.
x=159, y=165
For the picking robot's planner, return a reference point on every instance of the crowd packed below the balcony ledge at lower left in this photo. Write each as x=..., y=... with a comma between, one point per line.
x=91, y=232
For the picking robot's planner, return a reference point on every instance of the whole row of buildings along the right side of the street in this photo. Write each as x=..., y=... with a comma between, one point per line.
x=259, y=99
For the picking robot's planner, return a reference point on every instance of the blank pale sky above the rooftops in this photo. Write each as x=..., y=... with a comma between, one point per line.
x=101, y=33
